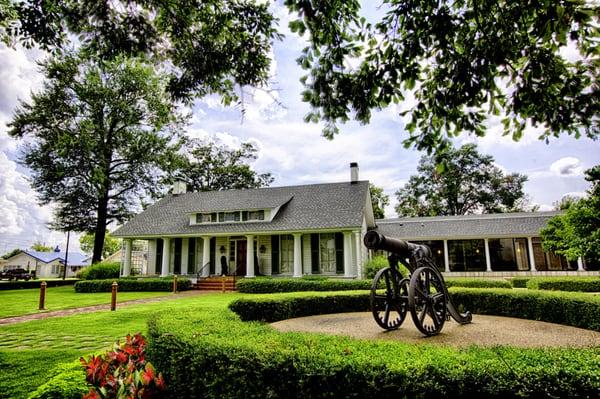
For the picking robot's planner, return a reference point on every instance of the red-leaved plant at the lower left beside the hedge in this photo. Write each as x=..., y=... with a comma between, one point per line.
x=123, y=373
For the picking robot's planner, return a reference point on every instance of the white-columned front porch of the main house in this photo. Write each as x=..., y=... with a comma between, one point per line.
x=328, y=253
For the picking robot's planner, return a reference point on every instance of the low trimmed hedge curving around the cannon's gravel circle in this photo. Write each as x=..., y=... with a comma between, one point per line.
x=212, y=354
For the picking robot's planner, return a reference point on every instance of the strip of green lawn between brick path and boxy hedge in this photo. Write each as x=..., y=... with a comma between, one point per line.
x=26, y=301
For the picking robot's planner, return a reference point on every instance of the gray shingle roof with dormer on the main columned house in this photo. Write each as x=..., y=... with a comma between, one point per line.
x=308, y=207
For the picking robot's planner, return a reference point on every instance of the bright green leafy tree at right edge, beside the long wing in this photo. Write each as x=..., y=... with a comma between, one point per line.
x=576, y=232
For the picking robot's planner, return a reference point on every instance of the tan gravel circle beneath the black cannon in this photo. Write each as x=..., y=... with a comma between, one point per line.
x=483, y=331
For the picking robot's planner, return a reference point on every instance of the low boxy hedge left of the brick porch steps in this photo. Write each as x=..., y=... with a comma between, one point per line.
x=131, y=284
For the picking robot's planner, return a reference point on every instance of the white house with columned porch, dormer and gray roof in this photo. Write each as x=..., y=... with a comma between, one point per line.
x=285, y=231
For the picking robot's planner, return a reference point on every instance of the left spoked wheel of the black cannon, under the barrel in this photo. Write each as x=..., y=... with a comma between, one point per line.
x=389, y=298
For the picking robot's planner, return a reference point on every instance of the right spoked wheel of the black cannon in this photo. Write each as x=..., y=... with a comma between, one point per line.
x=427, y=300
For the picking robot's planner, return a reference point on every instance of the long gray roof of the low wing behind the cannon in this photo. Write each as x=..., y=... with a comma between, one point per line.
x=466, y=226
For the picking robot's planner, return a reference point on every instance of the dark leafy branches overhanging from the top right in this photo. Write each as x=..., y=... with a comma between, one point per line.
x=462, y=60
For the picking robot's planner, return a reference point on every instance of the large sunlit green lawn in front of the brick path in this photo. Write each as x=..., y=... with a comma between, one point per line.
x=30, y=351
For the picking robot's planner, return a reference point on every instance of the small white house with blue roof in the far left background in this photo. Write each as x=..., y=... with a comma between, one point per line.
x=47, y=264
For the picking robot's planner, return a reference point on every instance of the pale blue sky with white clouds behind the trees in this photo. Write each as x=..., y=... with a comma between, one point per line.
x=293, y=151
